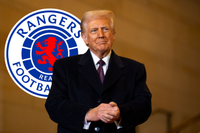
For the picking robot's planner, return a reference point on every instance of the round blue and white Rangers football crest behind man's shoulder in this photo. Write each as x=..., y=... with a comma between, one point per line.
x=36, y=42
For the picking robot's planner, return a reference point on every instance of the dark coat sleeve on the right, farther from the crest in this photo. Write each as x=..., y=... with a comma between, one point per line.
x=137, y=110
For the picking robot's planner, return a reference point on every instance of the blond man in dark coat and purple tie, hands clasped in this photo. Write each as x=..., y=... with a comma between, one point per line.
x=98, y=91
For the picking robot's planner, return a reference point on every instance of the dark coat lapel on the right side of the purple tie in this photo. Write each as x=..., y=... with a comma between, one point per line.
x=114, y=72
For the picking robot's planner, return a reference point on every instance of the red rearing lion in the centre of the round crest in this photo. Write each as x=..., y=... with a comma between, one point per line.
x=51, y=45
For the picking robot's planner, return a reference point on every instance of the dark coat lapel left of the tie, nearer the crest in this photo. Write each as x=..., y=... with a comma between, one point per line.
x=88, y=70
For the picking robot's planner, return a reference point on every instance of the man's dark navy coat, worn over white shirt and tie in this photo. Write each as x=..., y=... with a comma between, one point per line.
x=76, y=88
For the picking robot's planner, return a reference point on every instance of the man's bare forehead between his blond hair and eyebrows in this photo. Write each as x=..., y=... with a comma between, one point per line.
x=98, y=22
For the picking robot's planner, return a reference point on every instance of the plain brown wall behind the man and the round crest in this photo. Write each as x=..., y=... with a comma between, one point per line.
x=164, y=35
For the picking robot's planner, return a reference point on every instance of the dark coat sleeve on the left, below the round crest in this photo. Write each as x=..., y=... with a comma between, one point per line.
x=62, y=110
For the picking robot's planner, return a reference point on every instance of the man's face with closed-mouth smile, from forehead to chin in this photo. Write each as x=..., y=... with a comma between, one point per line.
x=99, y=36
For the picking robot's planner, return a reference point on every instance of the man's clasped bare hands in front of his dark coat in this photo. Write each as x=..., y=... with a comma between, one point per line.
x=107, y=113
